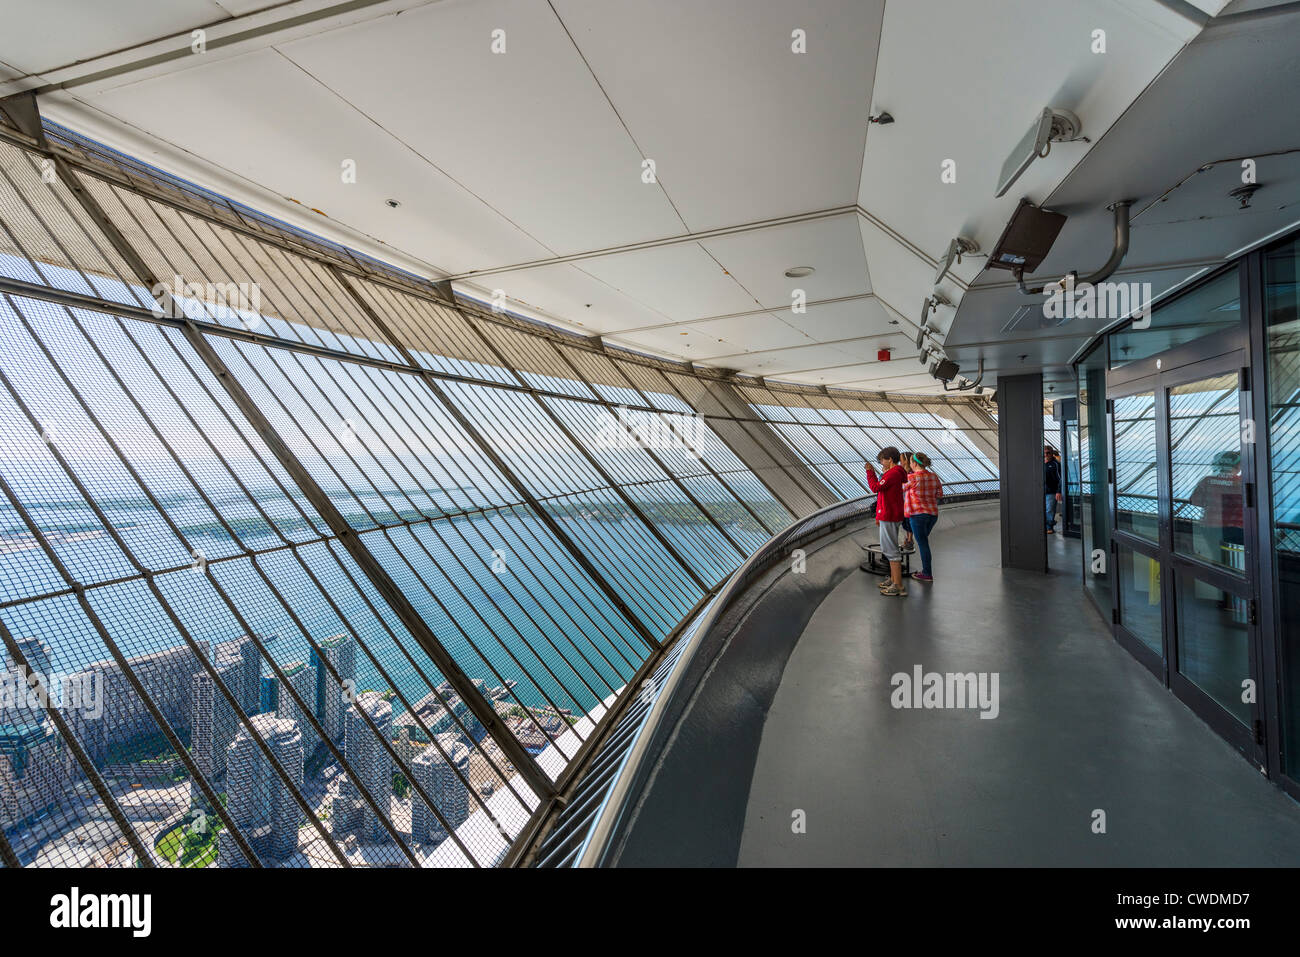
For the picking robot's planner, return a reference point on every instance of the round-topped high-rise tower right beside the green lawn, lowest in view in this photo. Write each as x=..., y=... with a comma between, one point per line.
x=258, y=803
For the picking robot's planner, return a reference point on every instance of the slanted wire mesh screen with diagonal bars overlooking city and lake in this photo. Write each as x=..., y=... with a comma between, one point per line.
x=304, y=564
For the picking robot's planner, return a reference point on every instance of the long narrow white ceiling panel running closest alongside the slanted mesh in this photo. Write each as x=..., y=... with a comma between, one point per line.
x=284, y=146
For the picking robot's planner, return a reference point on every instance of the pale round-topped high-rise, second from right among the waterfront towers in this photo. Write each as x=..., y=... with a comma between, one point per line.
x=371, y=769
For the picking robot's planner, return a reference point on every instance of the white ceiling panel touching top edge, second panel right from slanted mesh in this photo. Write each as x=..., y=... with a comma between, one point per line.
x=528, y=131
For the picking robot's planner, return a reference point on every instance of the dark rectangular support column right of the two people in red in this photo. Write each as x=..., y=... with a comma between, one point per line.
x=1020, y=465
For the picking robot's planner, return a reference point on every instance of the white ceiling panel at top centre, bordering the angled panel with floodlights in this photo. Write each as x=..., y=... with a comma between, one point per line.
x=740, y=127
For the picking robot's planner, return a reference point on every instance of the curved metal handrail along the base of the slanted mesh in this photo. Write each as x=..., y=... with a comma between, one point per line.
x=632, y=769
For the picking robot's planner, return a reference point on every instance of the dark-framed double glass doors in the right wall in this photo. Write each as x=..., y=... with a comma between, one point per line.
x=1184, y=544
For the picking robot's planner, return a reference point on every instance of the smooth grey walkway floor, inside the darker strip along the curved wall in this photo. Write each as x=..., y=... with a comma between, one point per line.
x=1082, y=729
